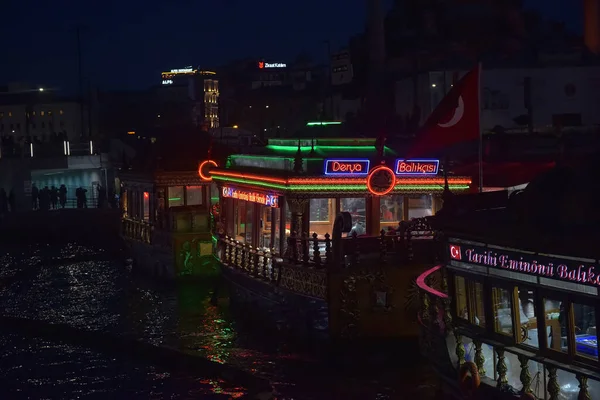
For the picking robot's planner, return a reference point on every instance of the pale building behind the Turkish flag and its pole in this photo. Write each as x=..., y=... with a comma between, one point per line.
x=560, y=97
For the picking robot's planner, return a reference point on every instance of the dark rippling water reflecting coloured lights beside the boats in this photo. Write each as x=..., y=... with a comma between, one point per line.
x=52, y=284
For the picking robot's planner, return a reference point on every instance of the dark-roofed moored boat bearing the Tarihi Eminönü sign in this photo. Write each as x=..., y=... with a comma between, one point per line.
x=511, y=312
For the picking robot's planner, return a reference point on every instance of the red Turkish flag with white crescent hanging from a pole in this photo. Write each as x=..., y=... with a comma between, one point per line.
x=455, y=120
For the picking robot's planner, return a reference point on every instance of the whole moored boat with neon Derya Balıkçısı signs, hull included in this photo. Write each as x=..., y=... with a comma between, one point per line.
x=325, y=236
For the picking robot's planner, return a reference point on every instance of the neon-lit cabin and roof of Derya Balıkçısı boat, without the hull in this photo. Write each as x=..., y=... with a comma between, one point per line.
x=302, y=185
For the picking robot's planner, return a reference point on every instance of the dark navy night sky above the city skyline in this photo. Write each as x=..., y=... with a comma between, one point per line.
x=126, y=44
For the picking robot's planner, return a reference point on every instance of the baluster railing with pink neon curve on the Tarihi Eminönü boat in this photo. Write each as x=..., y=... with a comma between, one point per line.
x=514, y=371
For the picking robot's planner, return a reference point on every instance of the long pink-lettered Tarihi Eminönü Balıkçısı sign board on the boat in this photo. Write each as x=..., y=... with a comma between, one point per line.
x=545, y=266
